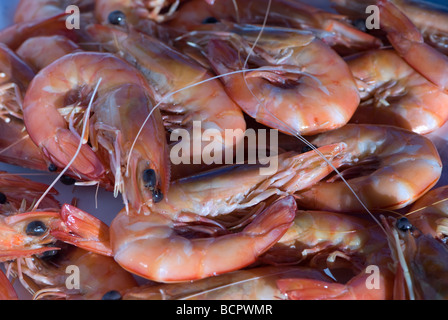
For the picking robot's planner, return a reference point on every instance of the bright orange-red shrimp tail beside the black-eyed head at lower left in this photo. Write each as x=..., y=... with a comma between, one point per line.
x=82, y=230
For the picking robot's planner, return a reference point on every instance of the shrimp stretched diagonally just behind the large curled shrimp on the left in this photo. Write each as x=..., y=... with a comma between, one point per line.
x=185, y=91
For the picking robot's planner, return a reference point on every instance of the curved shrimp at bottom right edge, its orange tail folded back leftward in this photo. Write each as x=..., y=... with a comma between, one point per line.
x=340, y=236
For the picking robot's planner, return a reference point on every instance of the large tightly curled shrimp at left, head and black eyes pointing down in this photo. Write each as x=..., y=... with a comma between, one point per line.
x=63, y=89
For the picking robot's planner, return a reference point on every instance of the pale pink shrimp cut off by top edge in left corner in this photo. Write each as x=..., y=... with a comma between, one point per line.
x=29, y=10
